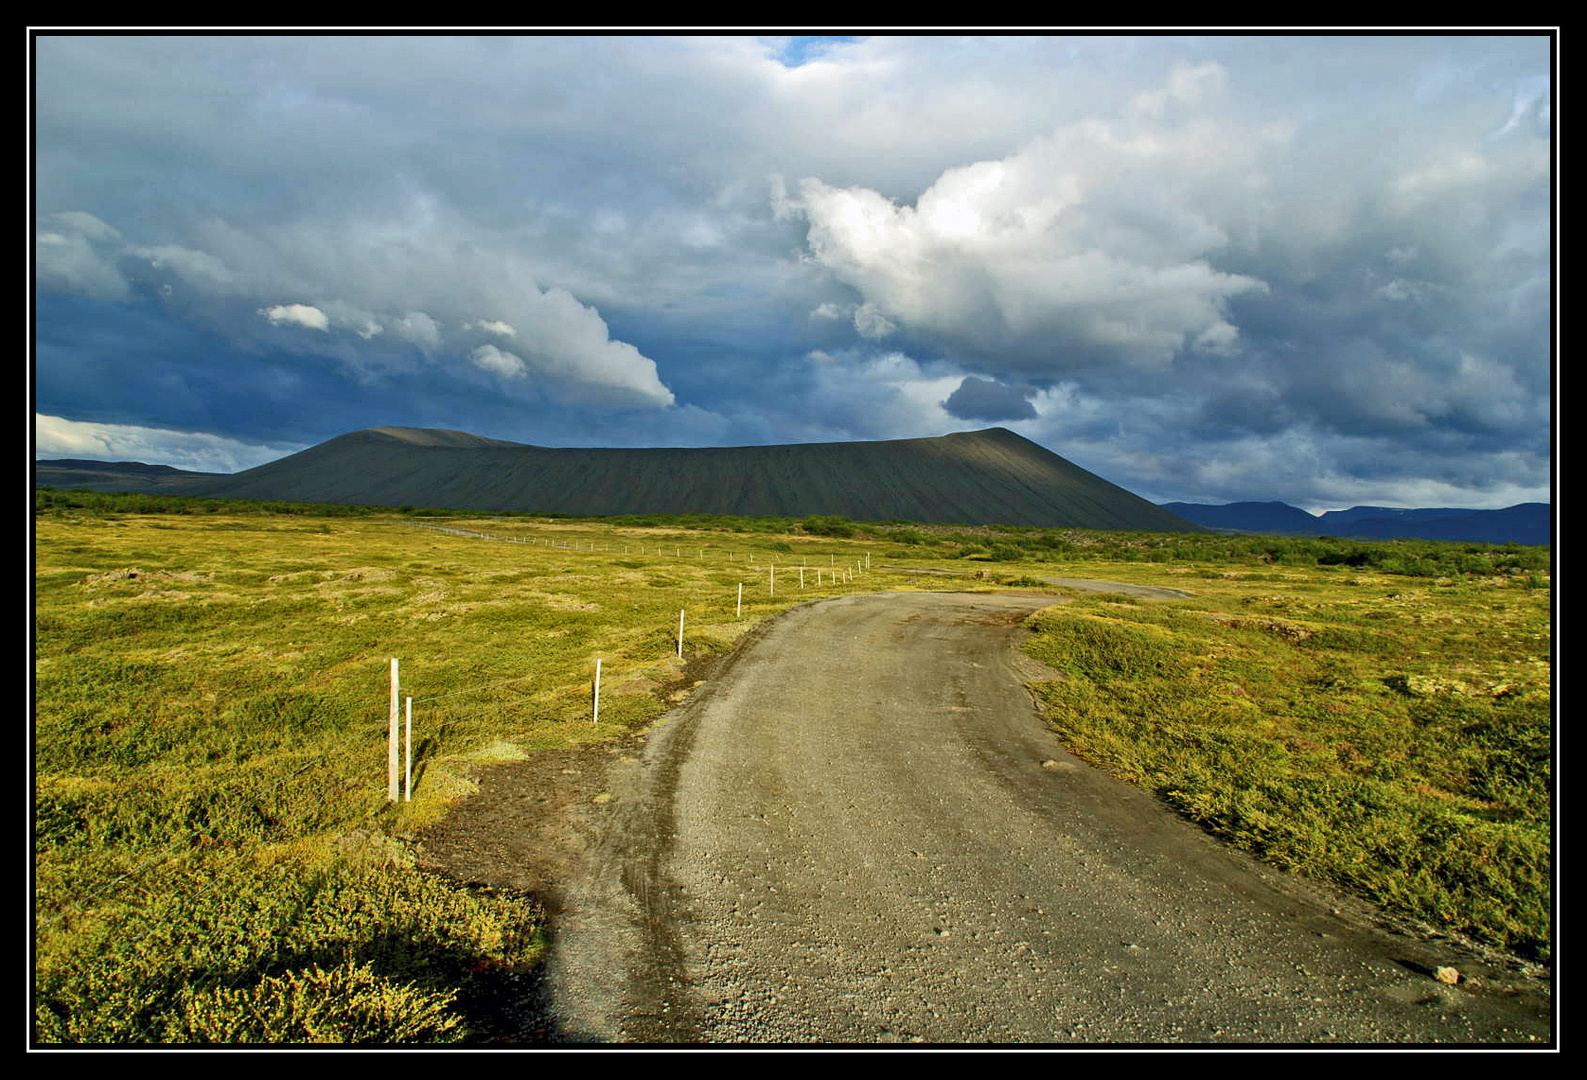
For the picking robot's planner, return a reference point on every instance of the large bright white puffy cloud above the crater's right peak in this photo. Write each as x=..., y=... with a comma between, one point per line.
x=1091, y=240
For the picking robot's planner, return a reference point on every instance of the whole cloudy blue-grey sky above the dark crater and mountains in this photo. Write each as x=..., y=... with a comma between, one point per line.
x=1209, y=269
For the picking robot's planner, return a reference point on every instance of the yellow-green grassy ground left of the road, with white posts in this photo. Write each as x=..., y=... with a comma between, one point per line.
x=215, y=854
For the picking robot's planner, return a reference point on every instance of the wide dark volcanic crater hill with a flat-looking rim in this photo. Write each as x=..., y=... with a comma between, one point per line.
x=975, y=478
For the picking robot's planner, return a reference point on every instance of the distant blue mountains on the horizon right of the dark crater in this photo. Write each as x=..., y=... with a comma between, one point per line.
x=1523, y=524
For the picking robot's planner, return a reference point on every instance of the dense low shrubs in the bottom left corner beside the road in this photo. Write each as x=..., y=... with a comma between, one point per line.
x=321, y=952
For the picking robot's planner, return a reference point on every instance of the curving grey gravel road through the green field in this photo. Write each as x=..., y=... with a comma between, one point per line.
x=863, y=832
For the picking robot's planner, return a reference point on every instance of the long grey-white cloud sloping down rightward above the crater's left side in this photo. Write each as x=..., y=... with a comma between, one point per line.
x=367, y=272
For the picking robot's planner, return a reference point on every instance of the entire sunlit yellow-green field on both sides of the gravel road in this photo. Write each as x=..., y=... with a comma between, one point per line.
x=217, y=857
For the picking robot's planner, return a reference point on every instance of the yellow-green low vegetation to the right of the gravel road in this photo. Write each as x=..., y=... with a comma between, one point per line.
x=1412, y=770
